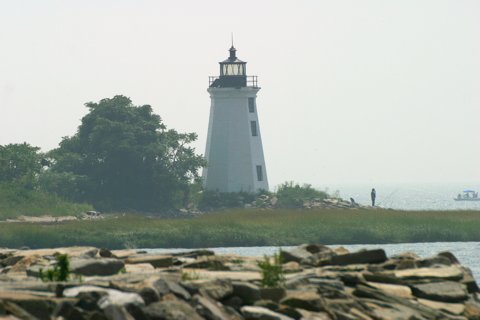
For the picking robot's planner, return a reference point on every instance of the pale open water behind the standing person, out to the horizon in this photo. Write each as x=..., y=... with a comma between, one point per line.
x=410, y=197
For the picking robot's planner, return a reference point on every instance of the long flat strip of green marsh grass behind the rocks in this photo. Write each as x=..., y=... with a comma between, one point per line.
x=251, y=228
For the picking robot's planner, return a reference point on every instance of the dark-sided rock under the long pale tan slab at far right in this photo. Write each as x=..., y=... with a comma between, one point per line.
x=446, y=291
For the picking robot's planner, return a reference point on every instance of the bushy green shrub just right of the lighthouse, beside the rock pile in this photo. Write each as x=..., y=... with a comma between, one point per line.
x=292, y=195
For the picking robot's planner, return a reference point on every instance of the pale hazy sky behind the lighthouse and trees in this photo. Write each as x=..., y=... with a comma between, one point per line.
x=365, y=92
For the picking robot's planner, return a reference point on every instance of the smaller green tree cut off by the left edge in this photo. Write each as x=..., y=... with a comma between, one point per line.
x=20, y=164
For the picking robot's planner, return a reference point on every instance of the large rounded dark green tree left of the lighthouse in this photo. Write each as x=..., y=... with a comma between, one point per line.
x=124, y=158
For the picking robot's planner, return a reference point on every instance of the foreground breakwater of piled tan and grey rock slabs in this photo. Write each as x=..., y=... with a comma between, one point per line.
x=311, y=282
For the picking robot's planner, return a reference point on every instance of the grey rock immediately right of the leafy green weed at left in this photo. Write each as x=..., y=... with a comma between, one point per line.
x=96, y=267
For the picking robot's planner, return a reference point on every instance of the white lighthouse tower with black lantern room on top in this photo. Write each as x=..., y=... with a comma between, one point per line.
x=234, y=152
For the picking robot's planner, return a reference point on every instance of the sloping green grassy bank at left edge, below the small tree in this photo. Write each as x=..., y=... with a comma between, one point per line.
x=16, y=201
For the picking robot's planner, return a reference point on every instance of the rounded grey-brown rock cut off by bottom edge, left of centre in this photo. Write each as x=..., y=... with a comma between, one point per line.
x=171, y=310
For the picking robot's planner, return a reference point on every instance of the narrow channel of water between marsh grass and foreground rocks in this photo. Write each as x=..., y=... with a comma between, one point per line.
x=466, y=252
